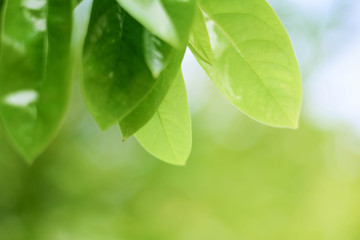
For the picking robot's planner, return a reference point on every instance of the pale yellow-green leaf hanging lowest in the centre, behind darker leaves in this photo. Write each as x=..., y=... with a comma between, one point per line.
x=167, y=135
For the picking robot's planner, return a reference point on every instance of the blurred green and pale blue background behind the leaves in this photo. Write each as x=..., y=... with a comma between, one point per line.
x=243, y=180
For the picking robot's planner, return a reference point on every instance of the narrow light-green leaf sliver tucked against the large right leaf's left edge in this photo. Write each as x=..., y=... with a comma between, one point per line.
x=199, y=41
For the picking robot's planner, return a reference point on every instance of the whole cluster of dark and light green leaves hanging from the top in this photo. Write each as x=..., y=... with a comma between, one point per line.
x=130, y=53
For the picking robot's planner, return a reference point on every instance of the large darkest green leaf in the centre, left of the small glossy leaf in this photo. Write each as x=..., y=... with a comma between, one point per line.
x=116, y=77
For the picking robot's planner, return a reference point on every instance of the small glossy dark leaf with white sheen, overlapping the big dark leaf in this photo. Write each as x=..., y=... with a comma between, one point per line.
x=157, y=53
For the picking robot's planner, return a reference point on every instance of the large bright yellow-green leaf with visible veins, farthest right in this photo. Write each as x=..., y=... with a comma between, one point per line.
x=255, y=67
